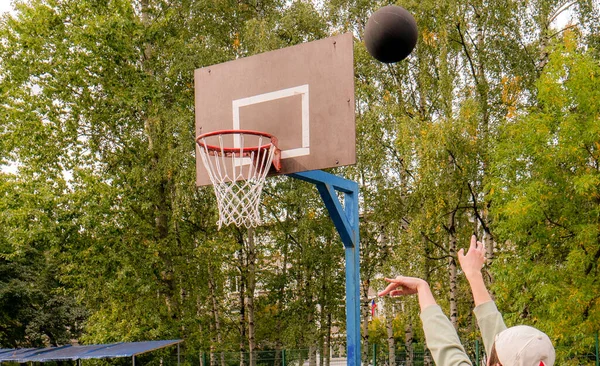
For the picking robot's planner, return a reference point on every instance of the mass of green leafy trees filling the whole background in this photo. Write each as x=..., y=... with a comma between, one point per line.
x=491, y=126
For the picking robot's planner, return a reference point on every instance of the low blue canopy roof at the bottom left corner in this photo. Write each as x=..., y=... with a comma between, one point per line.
x=74, y=353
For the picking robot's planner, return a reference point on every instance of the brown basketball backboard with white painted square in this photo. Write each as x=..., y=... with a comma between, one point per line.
x=303, y=95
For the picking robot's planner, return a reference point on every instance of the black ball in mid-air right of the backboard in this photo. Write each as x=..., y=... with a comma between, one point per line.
x=391, y=34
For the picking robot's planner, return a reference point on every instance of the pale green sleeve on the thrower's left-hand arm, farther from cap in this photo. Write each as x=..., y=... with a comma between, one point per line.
x=442, y=339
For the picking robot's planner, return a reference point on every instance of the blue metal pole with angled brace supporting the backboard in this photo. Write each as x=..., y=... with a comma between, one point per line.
x=346, y=220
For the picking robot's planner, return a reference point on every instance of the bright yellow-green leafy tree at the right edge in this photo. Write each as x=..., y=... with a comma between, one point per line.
x=547, y=189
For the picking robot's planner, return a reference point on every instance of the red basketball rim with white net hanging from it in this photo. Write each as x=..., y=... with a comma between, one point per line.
x=238, y=162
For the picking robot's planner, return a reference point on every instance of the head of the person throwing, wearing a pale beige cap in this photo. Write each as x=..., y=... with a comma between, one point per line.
x=522, y=346
